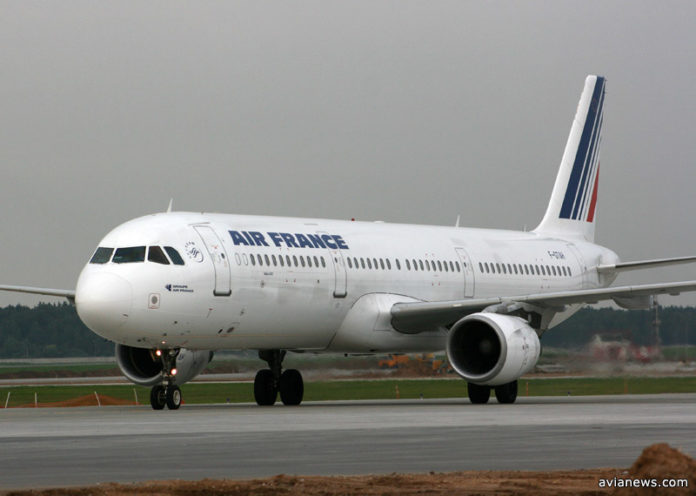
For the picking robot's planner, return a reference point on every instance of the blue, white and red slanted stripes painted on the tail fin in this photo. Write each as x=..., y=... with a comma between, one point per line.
x=581, y=194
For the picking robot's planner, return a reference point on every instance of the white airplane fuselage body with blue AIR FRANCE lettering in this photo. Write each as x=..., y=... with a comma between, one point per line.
x=252, y=282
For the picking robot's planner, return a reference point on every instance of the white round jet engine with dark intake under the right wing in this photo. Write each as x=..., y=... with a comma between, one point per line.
x=492, y=349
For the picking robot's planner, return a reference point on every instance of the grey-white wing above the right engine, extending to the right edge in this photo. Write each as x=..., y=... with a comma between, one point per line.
x=412, y=318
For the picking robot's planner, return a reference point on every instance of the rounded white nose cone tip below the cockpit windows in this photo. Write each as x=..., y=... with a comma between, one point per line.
x=103, y=301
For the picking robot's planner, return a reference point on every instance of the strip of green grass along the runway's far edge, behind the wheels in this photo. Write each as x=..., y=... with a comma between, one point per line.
x=361, y=390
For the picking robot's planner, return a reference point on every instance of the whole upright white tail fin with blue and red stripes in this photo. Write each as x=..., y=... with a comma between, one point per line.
x=571, y=210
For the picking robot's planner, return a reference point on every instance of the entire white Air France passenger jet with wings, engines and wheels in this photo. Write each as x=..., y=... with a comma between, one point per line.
x=170, y=288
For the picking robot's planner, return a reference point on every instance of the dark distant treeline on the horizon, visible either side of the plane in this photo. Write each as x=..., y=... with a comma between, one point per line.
x=54, y=330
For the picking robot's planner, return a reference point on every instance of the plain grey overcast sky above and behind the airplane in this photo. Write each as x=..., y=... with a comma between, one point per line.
x=404, y=111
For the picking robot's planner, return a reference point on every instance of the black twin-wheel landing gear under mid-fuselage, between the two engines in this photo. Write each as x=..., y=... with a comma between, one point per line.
x=273, y=380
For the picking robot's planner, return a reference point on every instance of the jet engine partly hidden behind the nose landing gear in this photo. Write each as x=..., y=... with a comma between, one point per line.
x=141, y=366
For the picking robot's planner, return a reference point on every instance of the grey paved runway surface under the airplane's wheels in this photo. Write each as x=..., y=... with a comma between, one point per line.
x=78, y=446
